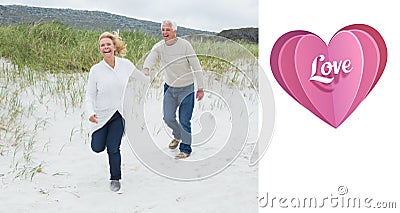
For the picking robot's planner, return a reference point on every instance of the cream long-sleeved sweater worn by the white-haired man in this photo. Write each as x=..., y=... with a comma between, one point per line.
x=178, y=63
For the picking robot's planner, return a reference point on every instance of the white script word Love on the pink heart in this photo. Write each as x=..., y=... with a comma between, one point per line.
x=327, y=67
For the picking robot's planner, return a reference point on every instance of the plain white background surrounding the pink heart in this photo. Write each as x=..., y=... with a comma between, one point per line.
x=309, y=158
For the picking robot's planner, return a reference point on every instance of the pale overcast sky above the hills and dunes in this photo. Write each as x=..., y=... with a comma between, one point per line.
x=209, y=15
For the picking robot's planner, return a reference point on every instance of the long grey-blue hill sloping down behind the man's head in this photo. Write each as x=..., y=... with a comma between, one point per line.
x=82, y=19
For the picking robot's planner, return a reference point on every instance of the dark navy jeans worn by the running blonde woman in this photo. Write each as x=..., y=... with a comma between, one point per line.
x=109, y=136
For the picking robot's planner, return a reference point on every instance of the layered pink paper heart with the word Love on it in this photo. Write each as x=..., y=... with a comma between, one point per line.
x=349, y=67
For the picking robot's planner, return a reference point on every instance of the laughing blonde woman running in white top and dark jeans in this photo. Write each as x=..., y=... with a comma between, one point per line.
x=104, y=99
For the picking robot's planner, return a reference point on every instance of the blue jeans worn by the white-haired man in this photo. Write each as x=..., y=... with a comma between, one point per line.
x=184, y=98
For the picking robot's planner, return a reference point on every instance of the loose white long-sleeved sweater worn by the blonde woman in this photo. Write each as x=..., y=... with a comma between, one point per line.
x=105, y=89
